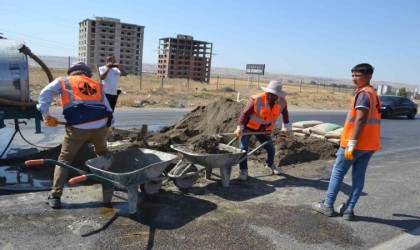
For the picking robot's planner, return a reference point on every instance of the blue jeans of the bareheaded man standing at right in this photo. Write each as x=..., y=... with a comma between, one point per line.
x=341, y=166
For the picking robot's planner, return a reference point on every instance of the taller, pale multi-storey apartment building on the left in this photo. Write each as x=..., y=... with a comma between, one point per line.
x=106, y=36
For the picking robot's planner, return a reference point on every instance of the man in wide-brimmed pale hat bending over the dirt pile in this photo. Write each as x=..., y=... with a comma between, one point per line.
x=260, y=115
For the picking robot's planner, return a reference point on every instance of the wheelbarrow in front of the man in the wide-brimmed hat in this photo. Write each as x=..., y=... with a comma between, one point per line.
x=185, y=173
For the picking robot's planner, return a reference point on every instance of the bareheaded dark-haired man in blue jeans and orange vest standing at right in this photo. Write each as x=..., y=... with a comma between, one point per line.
x=358, y=142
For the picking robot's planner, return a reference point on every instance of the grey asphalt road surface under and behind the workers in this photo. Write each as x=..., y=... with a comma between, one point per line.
x=388, y=211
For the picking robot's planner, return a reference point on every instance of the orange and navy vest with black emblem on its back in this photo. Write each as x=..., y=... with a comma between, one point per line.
x=82, y=100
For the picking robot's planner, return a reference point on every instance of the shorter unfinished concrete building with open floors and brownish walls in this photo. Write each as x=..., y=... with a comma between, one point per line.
x=184, y=57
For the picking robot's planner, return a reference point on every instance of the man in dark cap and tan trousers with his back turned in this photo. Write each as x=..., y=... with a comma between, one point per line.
x=88, y=117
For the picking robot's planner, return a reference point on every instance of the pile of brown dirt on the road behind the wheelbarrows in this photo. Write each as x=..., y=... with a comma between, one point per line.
x=197, y=129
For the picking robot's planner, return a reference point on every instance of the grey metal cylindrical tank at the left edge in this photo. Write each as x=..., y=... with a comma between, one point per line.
x=14, y=80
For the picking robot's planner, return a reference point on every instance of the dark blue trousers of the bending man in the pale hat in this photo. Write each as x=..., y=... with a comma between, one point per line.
x=269, y=147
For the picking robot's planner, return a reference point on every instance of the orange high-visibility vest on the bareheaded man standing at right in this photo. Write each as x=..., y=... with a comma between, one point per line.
x=369, y=139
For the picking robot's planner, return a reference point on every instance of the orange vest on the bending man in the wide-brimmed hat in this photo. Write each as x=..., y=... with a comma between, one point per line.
x=263, y=114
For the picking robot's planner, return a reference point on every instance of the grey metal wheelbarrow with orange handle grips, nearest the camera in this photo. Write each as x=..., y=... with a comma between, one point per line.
x=125, y=170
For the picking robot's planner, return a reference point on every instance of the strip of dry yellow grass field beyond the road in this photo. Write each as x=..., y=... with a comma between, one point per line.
x=152, y=92
